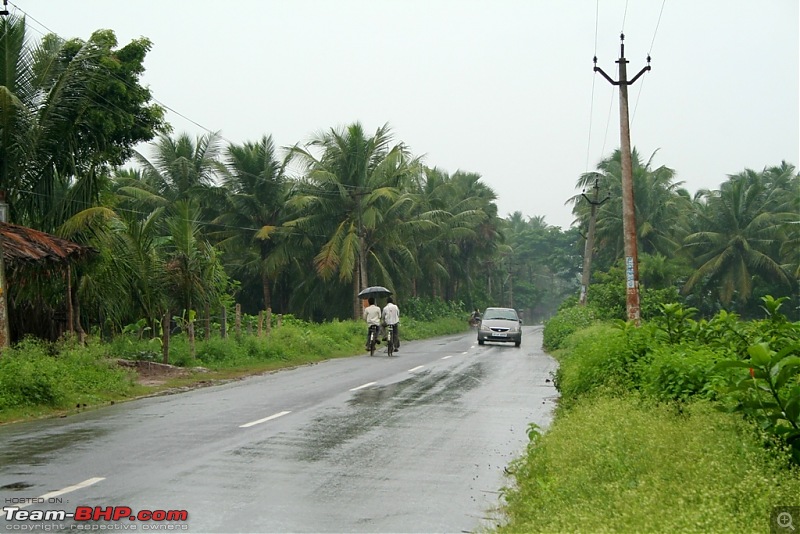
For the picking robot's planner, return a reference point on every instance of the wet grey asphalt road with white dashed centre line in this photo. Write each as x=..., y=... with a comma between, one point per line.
x=416, y=443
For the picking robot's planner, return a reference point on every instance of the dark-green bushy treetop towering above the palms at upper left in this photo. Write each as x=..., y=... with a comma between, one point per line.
x=69, y=110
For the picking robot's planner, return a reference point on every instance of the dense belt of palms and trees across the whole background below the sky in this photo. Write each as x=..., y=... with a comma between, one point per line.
x=192, y=225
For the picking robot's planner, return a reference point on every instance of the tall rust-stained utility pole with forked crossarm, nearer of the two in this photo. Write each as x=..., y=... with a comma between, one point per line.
x=628, y=206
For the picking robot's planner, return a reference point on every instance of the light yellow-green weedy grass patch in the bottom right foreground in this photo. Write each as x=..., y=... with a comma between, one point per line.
x=627, y=464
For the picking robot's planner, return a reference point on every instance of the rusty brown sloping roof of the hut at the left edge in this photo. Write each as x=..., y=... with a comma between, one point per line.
x=22, y=244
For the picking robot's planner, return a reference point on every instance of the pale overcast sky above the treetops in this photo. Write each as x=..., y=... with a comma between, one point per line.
x=503, y=88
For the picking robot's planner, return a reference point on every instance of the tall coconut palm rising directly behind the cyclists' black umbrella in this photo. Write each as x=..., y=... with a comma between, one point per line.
x=350, y=182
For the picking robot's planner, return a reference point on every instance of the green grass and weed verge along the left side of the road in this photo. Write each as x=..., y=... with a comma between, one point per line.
x=42, y=379
